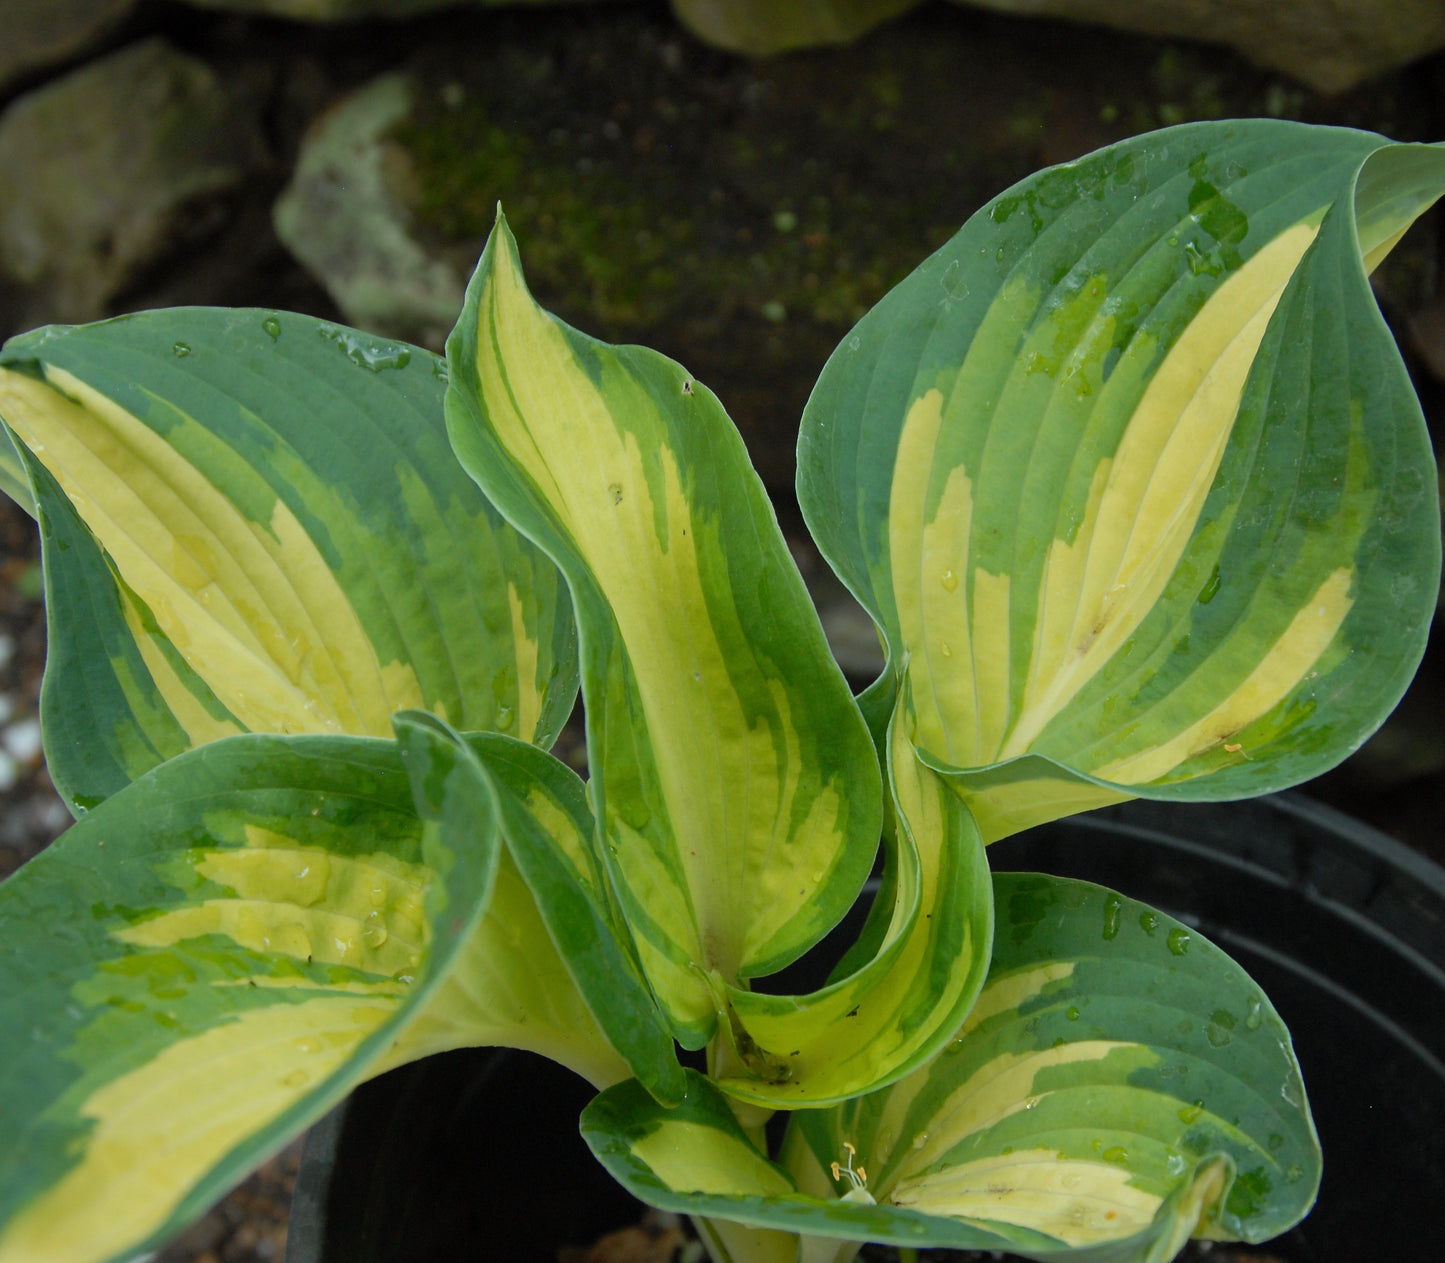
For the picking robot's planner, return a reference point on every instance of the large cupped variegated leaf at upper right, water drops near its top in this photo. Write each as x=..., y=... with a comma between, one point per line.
x=1132, y=476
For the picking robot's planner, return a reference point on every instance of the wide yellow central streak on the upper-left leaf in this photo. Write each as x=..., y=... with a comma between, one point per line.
x=254, y=606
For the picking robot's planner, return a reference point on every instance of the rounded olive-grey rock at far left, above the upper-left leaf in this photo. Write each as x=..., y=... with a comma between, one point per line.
x=111, y=170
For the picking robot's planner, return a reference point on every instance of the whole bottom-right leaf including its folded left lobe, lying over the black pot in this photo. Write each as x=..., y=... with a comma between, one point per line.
x=1121, y=1086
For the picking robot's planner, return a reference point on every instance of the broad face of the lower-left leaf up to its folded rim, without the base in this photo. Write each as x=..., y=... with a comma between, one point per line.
x=204, y=966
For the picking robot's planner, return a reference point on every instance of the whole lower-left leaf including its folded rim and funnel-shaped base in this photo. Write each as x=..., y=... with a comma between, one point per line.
x=219, y=953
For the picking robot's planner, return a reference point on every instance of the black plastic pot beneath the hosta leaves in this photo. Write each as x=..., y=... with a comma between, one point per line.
x=478, y=1155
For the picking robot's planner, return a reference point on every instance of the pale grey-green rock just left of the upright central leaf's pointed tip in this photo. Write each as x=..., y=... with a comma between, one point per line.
x=345, y=219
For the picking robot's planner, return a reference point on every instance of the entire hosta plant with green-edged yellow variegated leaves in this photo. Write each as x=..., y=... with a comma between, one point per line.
x=1131, y=479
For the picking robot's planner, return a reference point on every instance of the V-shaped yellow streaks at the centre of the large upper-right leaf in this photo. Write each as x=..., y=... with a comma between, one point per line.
x=1099, y=586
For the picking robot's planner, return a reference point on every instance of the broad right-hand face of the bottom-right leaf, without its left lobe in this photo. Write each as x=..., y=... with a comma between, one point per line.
x=1116, y=1067
